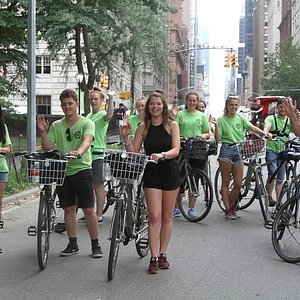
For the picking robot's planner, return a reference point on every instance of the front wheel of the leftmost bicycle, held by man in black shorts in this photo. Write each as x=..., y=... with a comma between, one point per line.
x=43, y=231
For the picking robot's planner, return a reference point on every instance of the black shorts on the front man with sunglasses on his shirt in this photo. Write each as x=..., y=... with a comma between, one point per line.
x=77, y=189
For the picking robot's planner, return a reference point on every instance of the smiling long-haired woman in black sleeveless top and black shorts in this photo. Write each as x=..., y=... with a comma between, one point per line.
x=161, y=181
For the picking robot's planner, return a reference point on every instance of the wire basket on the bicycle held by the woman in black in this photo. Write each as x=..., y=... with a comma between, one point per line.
x=125, y=165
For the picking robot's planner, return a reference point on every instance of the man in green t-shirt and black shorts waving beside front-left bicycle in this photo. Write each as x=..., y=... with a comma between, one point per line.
x=74, y=134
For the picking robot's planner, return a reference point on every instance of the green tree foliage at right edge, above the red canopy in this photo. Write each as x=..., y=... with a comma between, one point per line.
x=282, y=71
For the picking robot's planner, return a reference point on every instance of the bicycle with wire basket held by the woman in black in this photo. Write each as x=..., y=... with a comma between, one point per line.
x=130, y=218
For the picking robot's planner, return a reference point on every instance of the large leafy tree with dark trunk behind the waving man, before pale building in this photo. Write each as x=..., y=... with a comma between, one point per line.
x=96, y=34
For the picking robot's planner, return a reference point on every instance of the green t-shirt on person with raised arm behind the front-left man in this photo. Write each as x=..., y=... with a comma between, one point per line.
x=101, y=125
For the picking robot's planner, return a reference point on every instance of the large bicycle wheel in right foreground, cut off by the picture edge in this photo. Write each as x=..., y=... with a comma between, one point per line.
x=286, y=231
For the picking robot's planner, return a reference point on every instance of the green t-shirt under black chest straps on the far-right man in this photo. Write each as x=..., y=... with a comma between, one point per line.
x=278, y=146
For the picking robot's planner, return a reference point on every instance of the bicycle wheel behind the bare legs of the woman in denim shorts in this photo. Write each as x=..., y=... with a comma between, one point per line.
x=247, y=194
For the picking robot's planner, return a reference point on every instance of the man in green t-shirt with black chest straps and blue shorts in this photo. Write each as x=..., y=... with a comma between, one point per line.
x=279, y=125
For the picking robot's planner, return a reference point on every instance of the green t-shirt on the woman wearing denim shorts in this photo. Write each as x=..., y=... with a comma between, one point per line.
x=232, y=129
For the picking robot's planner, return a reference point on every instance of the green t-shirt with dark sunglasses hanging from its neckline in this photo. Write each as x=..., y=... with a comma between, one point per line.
x=58, y=136
